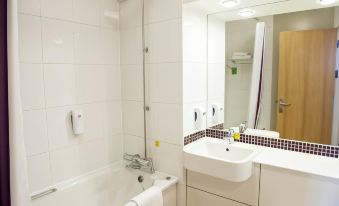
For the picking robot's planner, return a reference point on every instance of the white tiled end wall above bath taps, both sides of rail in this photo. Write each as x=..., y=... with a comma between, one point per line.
x=163, y=35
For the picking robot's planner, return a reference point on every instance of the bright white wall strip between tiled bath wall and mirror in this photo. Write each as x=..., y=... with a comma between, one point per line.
x=194, y=66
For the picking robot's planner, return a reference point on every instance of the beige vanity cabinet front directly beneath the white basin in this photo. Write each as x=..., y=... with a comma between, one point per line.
x=222, y=192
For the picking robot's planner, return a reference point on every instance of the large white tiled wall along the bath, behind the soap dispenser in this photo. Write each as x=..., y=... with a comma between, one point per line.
x=69, y=54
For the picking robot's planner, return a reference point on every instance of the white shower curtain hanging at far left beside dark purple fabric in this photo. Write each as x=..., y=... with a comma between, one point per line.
x=19, y=189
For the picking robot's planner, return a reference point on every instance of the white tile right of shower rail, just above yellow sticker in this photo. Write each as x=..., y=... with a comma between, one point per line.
x=166, y=123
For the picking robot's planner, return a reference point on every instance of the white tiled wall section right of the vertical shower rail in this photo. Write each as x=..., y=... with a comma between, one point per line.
x=163, y=20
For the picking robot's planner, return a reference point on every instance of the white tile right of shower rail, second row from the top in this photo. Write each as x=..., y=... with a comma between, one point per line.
x=164, y=40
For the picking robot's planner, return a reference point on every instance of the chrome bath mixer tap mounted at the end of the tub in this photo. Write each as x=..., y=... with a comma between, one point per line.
x=138, y=163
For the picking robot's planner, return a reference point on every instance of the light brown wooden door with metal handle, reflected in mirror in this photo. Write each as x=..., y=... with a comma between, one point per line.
x=306, y=82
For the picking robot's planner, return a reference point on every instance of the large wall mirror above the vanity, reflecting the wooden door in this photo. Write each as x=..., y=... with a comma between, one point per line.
x=274, y=67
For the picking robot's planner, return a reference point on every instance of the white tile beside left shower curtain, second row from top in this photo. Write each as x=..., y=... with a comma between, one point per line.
x=30, y=41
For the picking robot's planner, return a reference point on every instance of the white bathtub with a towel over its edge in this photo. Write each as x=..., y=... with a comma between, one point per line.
x=110, y=186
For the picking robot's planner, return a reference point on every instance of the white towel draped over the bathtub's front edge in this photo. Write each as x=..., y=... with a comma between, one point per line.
x=150, y=197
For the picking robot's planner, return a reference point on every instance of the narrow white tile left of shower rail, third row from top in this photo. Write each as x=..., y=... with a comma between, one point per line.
x=132, y=82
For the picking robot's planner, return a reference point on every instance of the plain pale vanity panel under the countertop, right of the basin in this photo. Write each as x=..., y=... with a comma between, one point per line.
x=281, y=187
